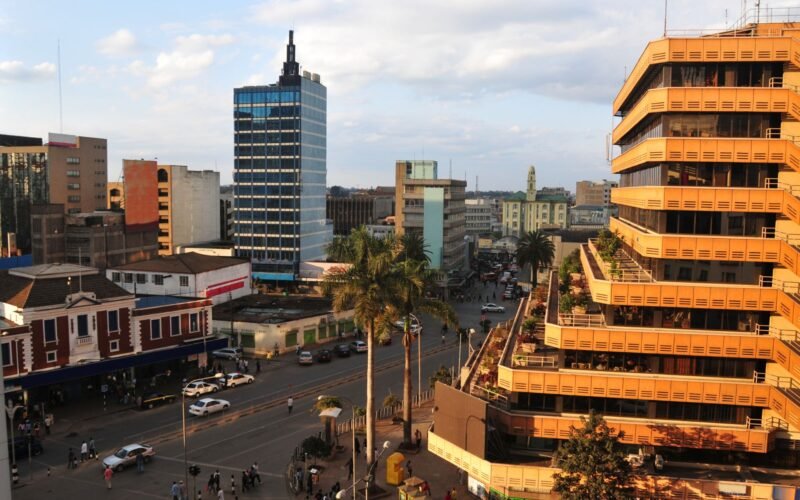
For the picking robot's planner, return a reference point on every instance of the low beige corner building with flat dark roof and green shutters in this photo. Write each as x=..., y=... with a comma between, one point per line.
x=260, y=324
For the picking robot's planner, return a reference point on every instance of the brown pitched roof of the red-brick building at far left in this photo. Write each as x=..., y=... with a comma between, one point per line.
x=50, y=284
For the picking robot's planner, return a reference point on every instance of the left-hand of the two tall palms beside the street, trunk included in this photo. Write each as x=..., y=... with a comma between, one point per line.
x=366, y=286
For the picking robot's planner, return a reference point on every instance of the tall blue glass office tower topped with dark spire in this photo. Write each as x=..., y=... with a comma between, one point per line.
x=280, y=172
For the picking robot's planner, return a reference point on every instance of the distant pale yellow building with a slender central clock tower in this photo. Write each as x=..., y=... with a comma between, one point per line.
x=534, y=210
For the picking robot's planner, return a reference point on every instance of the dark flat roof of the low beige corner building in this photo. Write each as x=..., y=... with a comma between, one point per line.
x=271, y=309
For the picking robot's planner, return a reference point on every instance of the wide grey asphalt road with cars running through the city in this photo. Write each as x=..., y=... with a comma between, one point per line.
x=267, y=435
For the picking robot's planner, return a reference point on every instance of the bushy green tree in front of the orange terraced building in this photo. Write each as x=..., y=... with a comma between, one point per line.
x=592, y=463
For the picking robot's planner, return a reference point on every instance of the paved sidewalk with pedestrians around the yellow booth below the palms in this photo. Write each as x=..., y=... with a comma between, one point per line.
x=440, y=475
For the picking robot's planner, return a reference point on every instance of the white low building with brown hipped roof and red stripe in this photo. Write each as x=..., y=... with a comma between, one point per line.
x=186, y=275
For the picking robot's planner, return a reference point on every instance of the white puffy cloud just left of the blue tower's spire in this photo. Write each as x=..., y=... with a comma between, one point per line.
x=190, y=57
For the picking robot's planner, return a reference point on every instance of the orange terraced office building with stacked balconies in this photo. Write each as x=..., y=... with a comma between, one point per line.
x=689, y=341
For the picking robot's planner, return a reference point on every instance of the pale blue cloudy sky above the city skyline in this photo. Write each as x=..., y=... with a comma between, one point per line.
x=487, y=88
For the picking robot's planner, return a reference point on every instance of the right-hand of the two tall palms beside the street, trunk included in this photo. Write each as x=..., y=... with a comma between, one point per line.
x=413, y=278
